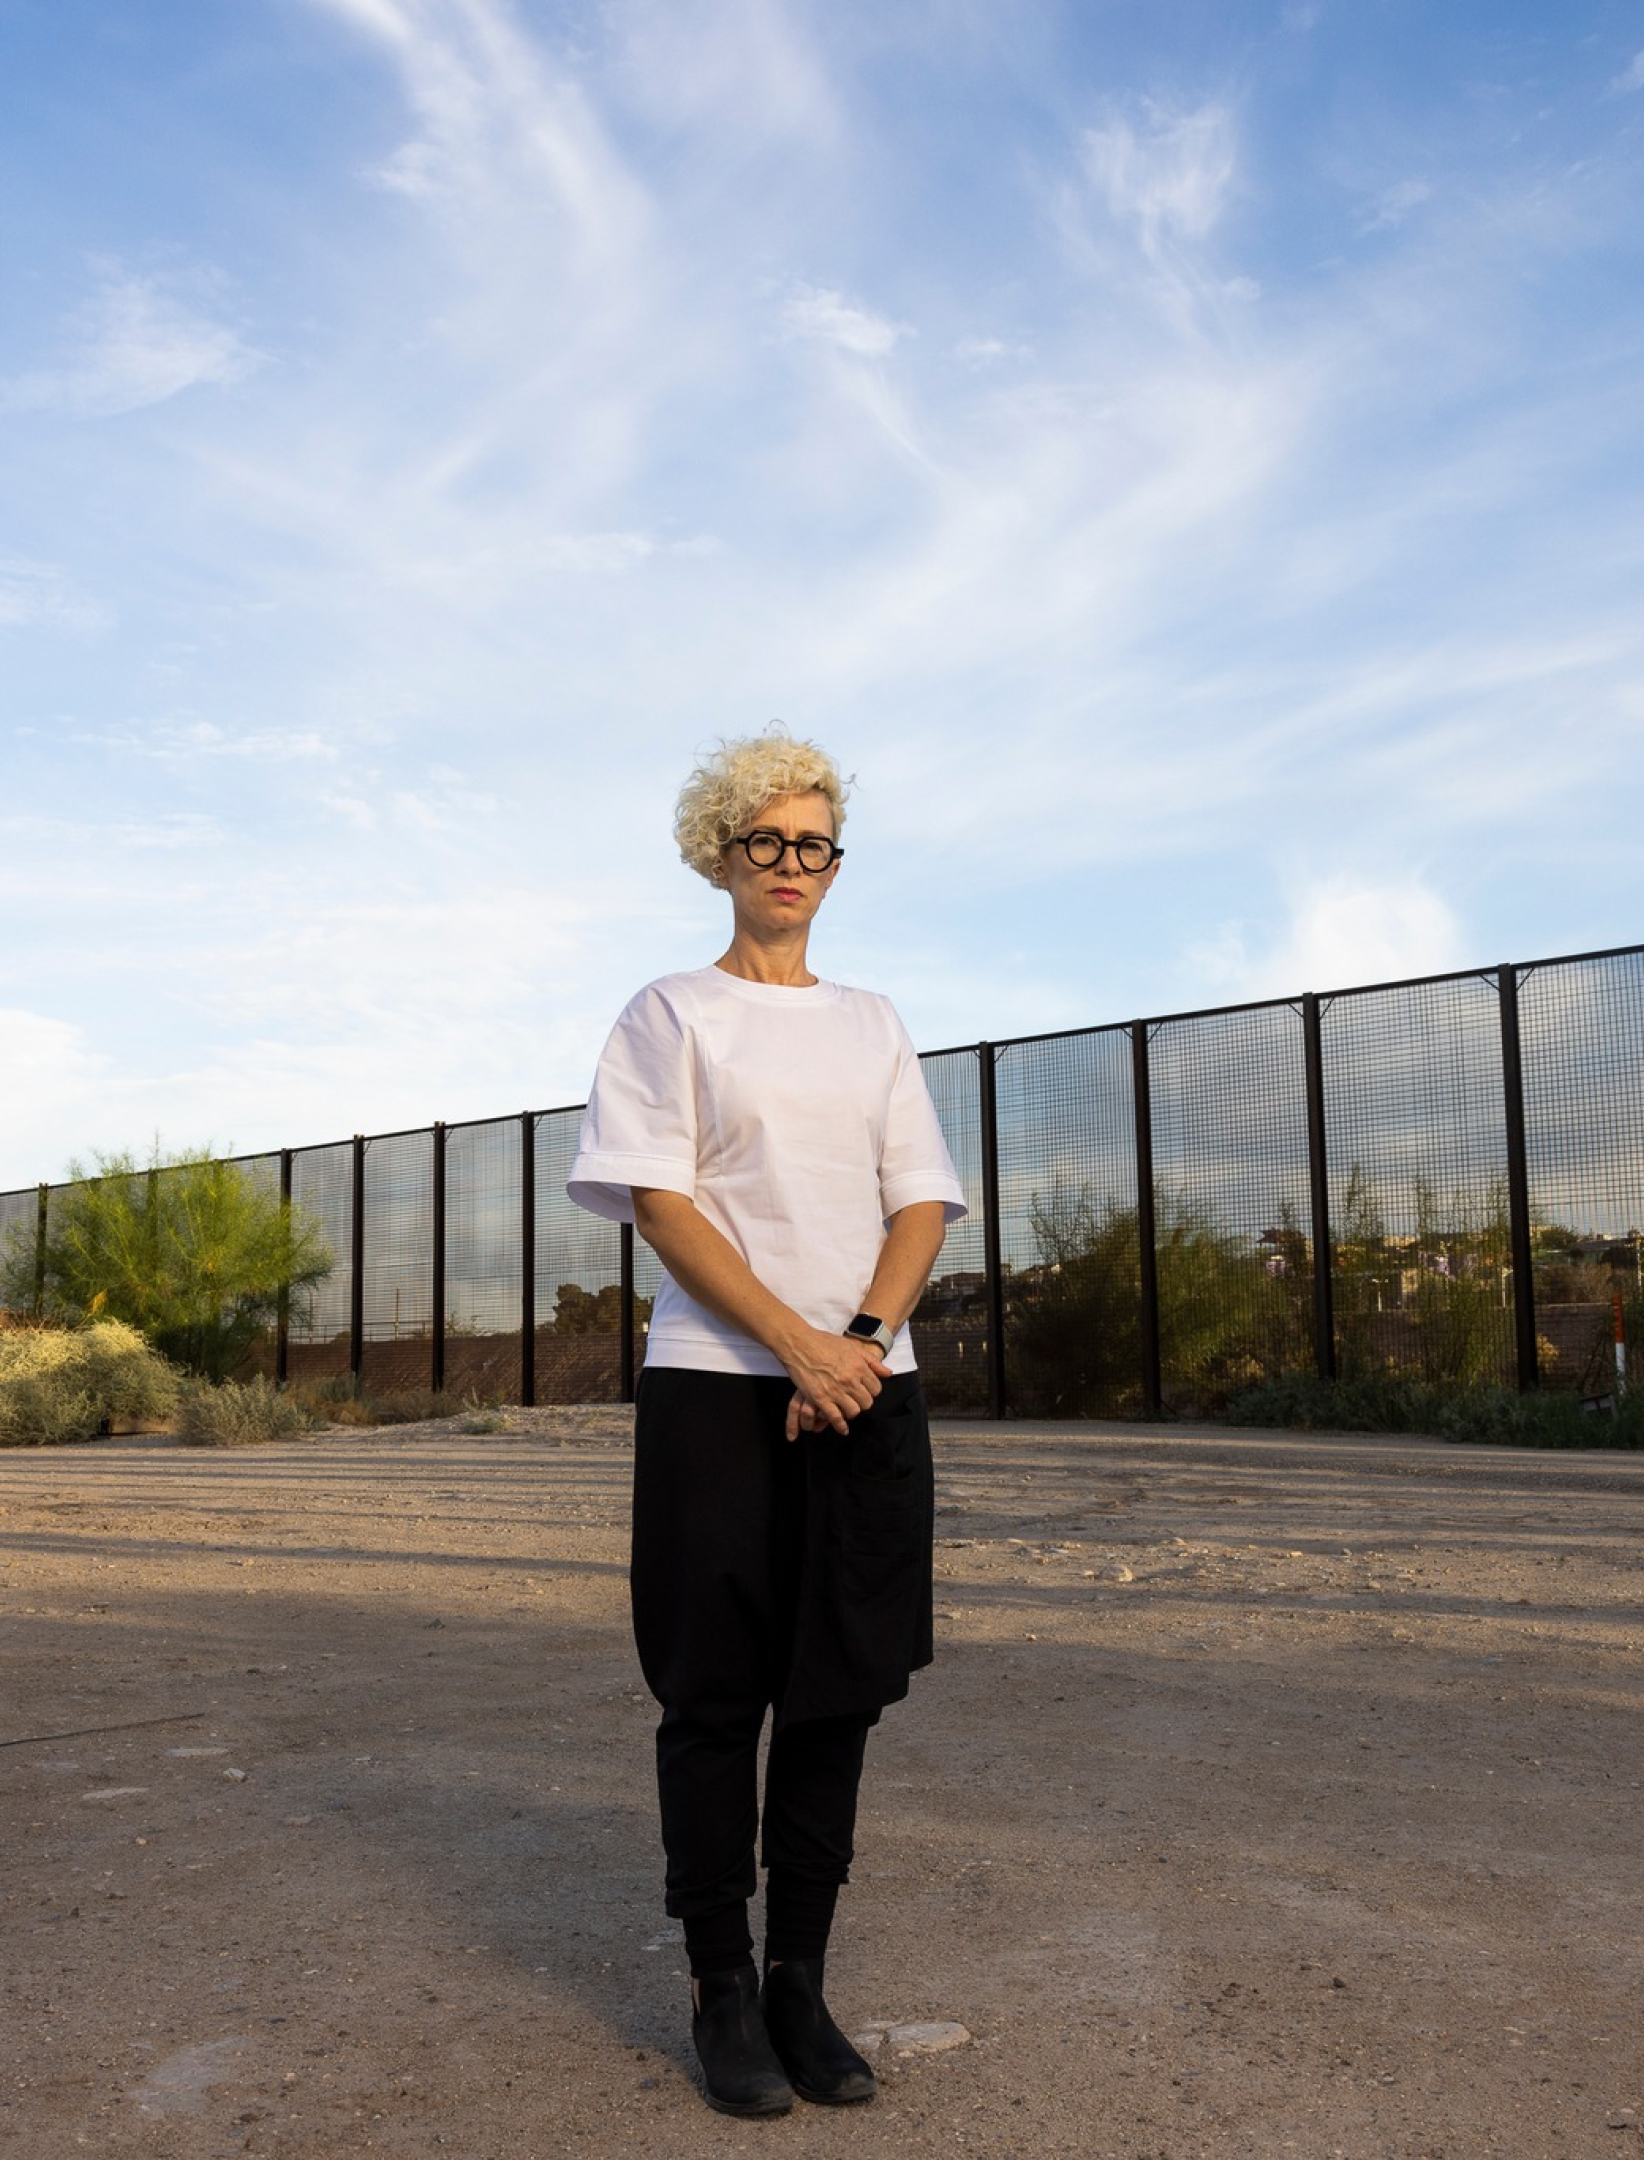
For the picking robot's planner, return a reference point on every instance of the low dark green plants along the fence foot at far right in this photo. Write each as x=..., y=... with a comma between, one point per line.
x=1399, y=1403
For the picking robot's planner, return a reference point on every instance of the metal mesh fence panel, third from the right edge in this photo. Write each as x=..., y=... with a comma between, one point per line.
x=1230, y=1202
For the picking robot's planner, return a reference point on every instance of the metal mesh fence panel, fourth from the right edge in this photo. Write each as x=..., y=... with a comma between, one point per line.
x=1068, y=1226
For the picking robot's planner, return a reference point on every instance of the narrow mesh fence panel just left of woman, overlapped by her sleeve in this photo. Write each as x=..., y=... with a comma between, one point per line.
x=578, y=1280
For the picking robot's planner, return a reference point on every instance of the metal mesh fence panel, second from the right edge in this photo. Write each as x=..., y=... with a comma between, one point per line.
x=1420, y=1180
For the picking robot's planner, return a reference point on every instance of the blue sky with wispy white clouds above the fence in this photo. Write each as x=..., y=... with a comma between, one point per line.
x=1187, y=461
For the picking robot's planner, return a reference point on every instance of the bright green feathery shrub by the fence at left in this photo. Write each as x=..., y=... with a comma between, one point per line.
x=191, y=1250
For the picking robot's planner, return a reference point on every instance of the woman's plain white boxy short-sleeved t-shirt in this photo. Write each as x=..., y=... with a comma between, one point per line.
x=798, y=1122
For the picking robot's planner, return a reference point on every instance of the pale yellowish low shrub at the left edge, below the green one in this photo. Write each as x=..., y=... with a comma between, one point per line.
x=68, y=1383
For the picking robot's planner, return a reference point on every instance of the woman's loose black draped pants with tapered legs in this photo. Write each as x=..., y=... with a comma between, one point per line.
x=772, y=1576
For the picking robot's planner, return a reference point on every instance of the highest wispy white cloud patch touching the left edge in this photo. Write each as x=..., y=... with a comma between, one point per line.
x=137, y=345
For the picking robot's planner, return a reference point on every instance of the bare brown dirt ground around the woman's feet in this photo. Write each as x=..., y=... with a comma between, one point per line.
x=1267, y=1798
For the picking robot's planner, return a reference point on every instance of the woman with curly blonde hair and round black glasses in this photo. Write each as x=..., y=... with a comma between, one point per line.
x=772, y=1139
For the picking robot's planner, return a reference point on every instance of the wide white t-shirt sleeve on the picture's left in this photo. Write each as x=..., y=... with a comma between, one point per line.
x=641, y=1120
